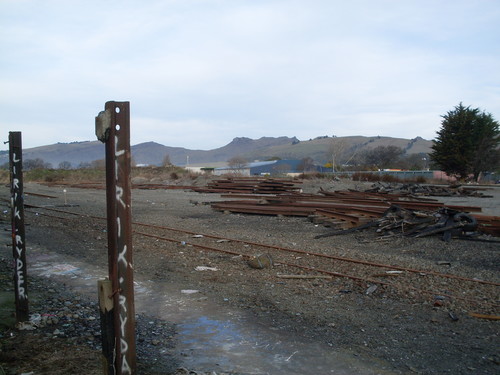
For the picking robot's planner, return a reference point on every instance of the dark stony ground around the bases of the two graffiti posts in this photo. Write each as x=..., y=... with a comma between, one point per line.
x=63, y=336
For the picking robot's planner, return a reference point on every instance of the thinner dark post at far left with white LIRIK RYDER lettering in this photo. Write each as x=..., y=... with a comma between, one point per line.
x=18, y=236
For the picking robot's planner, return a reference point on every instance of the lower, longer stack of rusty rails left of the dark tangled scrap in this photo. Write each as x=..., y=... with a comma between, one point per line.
x=343, y=209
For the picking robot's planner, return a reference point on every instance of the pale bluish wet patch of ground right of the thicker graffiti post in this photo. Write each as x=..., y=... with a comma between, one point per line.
x=214, y=337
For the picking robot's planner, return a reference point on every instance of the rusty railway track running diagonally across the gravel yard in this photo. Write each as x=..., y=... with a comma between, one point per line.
x=413, y=285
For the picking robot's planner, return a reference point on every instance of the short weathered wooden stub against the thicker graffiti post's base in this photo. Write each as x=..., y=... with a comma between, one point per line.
x=107, y=325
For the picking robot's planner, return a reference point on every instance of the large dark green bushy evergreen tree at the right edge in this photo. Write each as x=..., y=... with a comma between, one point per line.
x=467, y=142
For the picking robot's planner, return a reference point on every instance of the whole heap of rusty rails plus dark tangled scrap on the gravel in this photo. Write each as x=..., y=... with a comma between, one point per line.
x=346, y=211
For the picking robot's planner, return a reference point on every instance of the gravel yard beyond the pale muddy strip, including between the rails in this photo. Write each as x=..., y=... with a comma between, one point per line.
x=414, y=332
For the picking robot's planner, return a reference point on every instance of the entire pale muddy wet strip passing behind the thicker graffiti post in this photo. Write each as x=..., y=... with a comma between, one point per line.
x=212, y=336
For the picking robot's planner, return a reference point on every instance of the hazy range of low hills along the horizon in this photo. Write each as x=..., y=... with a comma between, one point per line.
x=153, y=153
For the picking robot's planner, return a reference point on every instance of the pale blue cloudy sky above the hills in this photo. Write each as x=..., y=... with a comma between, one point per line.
x=198, y=73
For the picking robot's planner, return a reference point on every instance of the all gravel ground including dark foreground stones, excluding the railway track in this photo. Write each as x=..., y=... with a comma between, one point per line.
x=408, y=331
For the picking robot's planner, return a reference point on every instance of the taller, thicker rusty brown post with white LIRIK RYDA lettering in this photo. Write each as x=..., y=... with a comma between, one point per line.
x=113, y=128
